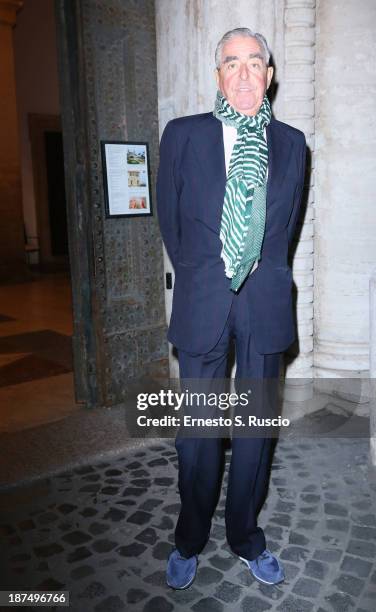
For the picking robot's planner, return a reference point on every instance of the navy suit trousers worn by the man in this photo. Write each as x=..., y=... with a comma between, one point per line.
x=201, y=459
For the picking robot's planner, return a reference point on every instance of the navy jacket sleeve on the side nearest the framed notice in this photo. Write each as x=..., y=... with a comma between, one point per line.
x=168, y=193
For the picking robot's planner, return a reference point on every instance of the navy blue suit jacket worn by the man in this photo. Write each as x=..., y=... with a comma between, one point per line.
x=190, y=192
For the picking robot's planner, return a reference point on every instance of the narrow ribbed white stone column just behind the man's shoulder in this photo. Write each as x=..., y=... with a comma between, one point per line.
x=299, y=110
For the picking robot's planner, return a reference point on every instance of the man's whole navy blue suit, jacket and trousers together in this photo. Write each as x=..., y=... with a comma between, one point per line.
x=207, y=315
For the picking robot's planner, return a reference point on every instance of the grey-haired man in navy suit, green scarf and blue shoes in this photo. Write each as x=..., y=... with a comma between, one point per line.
x=227, y=238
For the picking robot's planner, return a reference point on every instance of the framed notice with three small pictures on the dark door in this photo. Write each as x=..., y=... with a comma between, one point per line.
x=126, y=178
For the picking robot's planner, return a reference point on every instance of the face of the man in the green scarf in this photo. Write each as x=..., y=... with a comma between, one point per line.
x=243, y=76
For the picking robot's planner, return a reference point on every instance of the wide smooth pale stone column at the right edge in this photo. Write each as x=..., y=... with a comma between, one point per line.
x=345, y=226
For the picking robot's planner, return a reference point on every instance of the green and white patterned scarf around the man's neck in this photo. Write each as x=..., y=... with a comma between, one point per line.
x=244, y=207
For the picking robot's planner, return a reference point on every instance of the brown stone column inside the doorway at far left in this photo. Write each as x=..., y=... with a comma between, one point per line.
x=12, y=250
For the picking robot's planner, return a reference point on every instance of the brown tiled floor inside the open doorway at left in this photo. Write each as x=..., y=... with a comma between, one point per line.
x=35, y=352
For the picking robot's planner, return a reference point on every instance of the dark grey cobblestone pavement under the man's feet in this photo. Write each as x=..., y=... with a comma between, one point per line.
x=103, y=532
